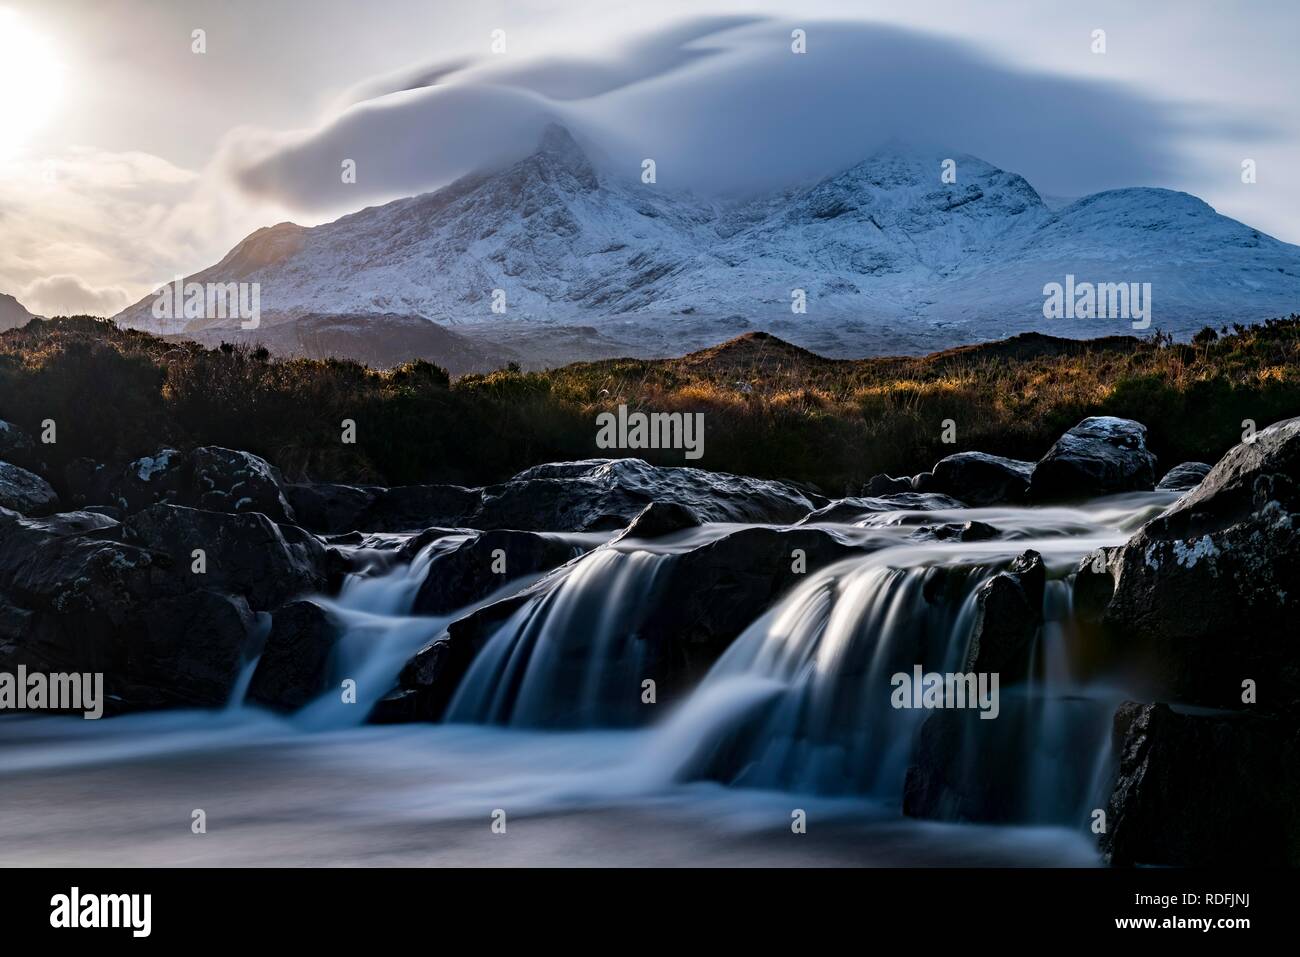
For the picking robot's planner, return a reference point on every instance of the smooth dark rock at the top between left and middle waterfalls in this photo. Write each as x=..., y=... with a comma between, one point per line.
x=479, y=566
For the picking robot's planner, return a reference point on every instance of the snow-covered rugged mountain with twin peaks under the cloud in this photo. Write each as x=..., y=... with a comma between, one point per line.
x=890, y=258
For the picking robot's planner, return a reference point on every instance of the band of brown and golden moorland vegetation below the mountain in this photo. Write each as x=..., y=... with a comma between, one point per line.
x=770, y=409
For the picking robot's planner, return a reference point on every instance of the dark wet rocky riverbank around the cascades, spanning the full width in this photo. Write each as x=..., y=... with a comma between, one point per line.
x=180, y=573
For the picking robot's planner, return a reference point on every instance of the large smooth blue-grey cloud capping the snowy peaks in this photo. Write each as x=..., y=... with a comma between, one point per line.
x=723, y=106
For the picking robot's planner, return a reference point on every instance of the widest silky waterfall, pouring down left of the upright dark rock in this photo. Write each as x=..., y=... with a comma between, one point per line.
x=816, y=677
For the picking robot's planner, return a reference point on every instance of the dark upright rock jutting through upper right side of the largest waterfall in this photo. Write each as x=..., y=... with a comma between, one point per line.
x=1008, y=617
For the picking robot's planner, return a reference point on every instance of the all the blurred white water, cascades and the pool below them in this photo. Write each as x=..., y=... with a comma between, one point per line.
x=794, y=716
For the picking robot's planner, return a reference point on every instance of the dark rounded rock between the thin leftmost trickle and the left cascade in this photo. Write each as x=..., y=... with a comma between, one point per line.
x=294, y=665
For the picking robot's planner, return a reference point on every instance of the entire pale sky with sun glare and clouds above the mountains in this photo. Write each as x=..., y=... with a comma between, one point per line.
x=129, y=157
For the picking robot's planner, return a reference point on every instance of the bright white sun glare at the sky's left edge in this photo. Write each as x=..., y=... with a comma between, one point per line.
x=31, y=81
